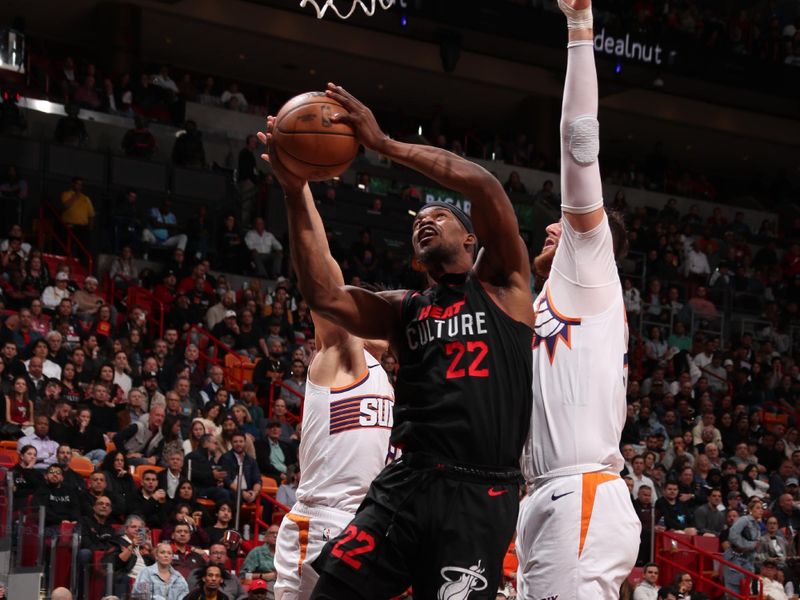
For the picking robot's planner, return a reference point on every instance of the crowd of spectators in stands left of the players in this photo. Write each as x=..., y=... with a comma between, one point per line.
x=83, y=375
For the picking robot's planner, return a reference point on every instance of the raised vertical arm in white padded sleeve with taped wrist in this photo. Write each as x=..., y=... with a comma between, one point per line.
x=581, y=186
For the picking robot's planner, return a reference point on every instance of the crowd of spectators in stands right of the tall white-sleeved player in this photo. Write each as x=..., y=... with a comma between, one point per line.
x=711, y=440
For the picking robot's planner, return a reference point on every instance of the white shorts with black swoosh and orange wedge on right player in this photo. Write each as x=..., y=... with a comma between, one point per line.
x=577, y=538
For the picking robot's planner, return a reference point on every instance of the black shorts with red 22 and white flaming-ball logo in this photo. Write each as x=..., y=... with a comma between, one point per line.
x=443, y=529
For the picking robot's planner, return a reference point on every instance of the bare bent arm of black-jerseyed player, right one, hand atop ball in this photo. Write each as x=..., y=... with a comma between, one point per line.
x=492, y=213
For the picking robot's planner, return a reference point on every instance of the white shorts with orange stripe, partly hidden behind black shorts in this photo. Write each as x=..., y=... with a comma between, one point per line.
x=303, y=534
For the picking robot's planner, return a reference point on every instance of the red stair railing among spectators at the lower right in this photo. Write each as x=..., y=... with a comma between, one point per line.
x=664, y=555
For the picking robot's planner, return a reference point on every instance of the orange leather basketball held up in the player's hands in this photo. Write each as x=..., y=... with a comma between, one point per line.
x=308, y=143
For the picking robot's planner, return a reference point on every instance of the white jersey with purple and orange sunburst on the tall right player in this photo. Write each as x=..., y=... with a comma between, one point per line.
x=579, y=362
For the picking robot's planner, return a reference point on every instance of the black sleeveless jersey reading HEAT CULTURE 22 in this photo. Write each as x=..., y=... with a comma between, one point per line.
x=463, y=391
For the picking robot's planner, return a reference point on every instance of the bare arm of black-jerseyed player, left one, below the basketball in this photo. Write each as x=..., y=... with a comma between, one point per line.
x=361, y=312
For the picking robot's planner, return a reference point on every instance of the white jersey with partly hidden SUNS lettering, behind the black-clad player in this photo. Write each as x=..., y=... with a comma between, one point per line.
x=345, y=441
